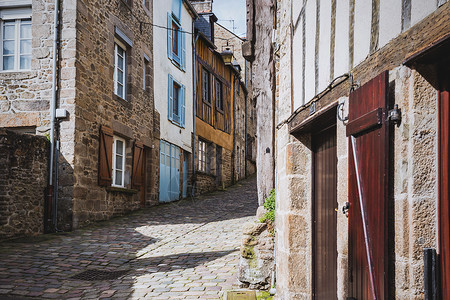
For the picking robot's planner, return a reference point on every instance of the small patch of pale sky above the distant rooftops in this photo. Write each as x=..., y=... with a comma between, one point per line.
x=231, y=10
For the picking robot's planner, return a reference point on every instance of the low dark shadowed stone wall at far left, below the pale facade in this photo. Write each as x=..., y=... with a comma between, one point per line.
x=23, y=182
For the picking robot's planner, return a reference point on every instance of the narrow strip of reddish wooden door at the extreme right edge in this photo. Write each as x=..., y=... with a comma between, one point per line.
x=444, y=182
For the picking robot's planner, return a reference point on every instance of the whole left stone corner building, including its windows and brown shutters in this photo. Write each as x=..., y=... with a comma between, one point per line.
x=106, y=136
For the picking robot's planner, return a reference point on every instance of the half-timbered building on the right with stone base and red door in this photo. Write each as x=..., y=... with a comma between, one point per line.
x=361, y=188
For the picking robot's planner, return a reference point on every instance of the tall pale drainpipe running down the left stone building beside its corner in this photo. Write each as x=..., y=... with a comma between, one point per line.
x=51, y=200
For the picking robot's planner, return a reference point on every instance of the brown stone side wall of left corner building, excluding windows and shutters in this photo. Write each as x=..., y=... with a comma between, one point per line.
x=97, y=105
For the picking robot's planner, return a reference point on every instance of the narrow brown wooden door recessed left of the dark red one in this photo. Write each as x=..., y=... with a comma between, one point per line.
x=324, y=214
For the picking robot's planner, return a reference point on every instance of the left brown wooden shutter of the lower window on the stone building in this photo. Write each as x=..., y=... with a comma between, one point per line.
x=105, y=157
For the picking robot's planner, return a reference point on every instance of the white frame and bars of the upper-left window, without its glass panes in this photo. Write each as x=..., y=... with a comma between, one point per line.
x=17, y=17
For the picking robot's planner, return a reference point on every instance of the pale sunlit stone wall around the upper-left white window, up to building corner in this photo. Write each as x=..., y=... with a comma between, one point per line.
x=25, y=95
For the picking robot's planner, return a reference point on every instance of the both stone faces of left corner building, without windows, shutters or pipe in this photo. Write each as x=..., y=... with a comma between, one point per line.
x=88, y=31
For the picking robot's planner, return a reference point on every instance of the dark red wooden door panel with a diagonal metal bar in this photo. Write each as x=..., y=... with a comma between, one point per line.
x=368, y=134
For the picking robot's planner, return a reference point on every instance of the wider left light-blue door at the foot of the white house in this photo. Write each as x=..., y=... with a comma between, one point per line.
x=169, y=179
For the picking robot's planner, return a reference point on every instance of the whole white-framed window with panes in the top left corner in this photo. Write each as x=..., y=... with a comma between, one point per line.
x=16, y=40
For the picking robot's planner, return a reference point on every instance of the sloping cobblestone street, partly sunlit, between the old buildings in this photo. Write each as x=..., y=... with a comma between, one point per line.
x=183, y=250
